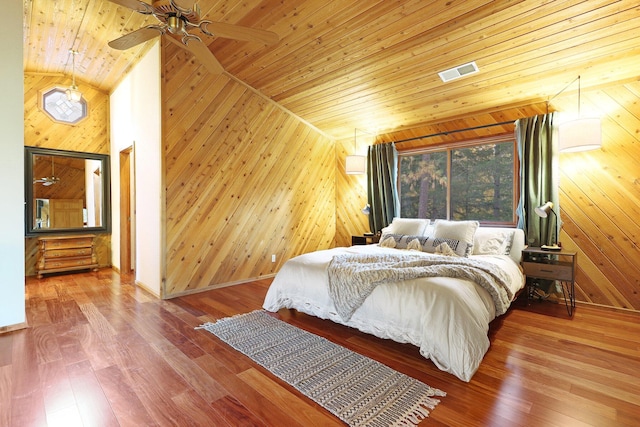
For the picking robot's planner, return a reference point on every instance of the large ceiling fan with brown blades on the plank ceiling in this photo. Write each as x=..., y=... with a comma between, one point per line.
x=176, y=18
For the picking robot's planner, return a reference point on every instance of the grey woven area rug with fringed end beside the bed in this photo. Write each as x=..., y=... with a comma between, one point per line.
x=358, y=390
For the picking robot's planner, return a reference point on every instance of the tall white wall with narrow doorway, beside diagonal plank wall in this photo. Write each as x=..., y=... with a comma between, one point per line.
x=136, y=121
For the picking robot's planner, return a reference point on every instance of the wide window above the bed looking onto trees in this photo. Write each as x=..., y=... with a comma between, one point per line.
x=473, y=180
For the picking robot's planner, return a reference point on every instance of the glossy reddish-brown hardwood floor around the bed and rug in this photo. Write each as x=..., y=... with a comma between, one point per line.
x=101, y=352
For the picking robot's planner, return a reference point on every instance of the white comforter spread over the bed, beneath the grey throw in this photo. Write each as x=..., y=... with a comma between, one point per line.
x=447, y=318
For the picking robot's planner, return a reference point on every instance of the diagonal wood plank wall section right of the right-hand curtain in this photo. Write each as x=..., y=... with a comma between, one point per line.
x=600, y=200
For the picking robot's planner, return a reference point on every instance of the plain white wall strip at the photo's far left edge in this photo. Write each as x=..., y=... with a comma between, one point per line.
x=12, y=305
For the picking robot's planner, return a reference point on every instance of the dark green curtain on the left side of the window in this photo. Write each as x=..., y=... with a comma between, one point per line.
x=382, y=191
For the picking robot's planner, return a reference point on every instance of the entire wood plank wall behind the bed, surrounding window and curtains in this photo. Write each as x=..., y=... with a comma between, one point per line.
x=599, y=190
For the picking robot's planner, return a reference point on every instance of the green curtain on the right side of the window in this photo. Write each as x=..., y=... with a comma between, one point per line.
x=538, y=155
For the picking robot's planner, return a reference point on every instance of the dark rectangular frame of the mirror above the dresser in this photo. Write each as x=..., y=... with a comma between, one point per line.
x=30, y=230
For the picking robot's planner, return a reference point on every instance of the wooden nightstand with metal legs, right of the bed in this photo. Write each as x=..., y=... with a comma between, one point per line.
x=559, y=266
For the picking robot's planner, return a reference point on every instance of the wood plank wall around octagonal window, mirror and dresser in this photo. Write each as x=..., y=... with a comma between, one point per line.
x=90, y=135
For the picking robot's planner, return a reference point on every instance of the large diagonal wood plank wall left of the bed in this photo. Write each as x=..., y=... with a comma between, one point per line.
x=244, y=180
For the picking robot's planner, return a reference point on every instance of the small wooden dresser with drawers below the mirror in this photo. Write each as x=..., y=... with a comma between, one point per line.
x=66, y=253
